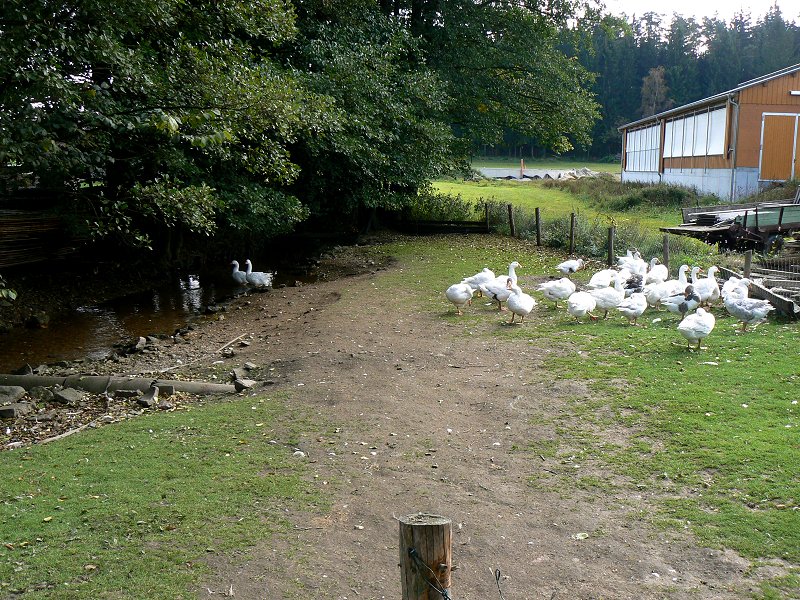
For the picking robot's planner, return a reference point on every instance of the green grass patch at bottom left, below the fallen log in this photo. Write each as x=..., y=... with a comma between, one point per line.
x=131, y=509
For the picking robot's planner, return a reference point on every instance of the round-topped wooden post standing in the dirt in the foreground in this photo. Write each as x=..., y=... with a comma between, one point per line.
x=425, y=556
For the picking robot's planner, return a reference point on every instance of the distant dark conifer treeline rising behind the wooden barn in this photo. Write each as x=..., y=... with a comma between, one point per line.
x=649, y=63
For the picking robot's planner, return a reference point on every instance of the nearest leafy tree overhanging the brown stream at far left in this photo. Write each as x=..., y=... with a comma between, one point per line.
x=153, y=116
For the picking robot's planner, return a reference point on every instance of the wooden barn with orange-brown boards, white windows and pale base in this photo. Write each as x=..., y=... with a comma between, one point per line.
x=731, y=144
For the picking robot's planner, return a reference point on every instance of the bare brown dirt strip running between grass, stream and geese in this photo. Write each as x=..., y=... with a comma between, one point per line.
x=428, y=418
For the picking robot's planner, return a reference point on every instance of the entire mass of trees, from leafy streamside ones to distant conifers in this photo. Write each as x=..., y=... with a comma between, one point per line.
x=177, y=125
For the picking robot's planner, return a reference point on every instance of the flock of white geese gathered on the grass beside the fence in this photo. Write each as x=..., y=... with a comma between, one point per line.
x=631, y=288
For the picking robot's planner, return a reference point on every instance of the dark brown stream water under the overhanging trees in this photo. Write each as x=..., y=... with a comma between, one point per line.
x=92, y=331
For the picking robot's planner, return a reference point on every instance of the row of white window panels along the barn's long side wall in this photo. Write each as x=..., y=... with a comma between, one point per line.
x=699, y=134
